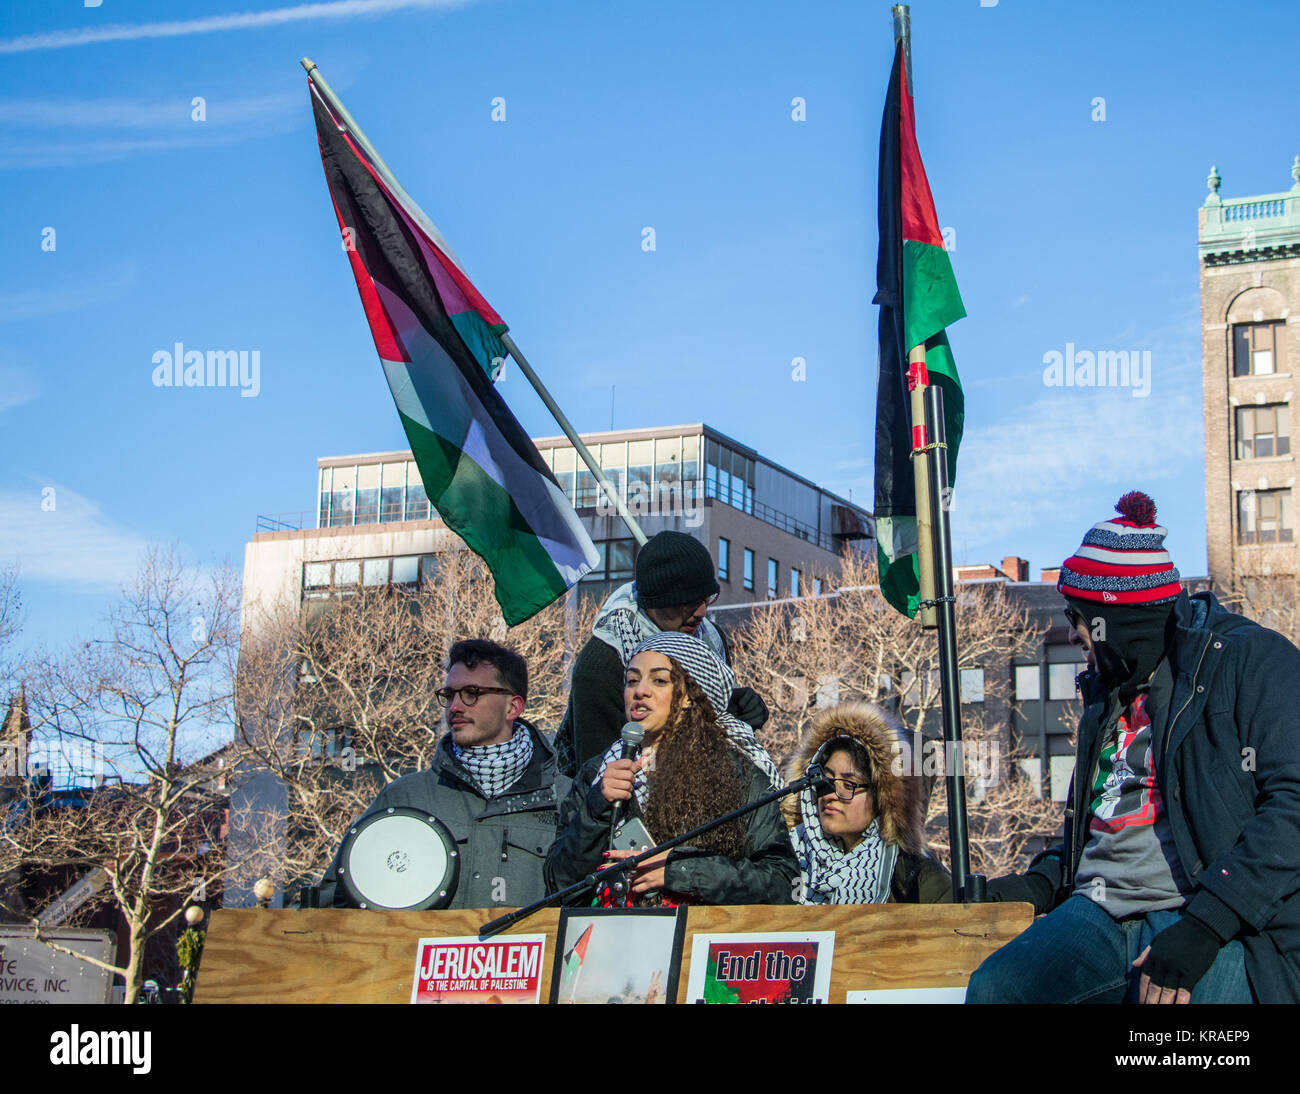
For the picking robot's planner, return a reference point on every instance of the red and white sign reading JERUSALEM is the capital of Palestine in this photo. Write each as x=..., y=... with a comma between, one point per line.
x=473, y=971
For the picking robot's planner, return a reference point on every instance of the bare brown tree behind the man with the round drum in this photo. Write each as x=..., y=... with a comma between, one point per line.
x=336, y=700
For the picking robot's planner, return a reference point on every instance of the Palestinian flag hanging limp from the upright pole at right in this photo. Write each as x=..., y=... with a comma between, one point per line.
x=918, y=298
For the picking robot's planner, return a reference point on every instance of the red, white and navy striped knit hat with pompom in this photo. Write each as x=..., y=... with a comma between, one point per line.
x=1123, y=561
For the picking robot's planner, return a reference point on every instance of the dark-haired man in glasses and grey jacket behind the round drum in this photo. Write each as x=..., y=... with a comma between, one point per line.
x=493, y=783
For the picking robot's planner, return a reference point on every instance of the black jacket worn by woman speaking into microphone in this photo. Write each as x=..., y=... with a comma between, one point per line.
x=766, y=876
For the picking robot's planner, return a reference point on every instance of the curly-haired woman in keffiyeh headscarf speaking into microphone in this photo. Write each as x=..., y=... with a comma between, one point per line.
x=697, y=763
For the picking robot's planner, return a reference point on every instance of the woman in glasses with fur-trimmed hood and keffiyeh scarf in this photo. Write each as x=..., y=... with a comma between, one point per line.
x=860, y=837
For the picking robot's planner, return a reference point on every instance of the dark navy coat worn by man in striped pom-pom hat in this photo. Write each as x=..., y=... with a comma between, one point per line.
x=1227, y=741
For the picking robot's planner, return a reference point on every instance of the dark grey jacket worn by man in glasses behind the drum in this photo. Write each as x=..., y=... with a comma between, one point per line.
x=502, y=841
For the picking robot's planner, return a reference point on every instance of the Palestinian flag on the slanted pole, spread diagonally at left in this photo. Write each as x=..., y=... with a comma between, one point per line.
x=440, y=345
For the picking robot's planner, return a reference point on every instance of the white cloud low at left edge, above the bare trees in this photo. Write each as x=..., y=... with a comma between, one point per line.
x=76, y=544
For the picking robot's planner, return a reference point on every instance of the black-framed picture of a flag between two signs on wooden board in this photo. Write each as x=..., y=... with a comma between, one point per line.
x=618, y=956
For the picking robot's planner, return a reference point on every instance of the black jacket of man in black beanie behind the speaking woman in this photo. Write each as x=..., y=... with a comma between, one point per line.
x=595, y=715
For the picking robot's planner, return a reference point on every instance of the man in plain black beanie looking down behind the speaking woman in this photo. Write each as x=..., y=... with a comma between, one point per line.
x=675, y=584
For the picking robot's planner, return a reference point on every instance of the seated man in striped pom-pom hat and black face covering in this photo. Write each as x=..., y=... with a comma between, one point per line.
x=1180, y=876
